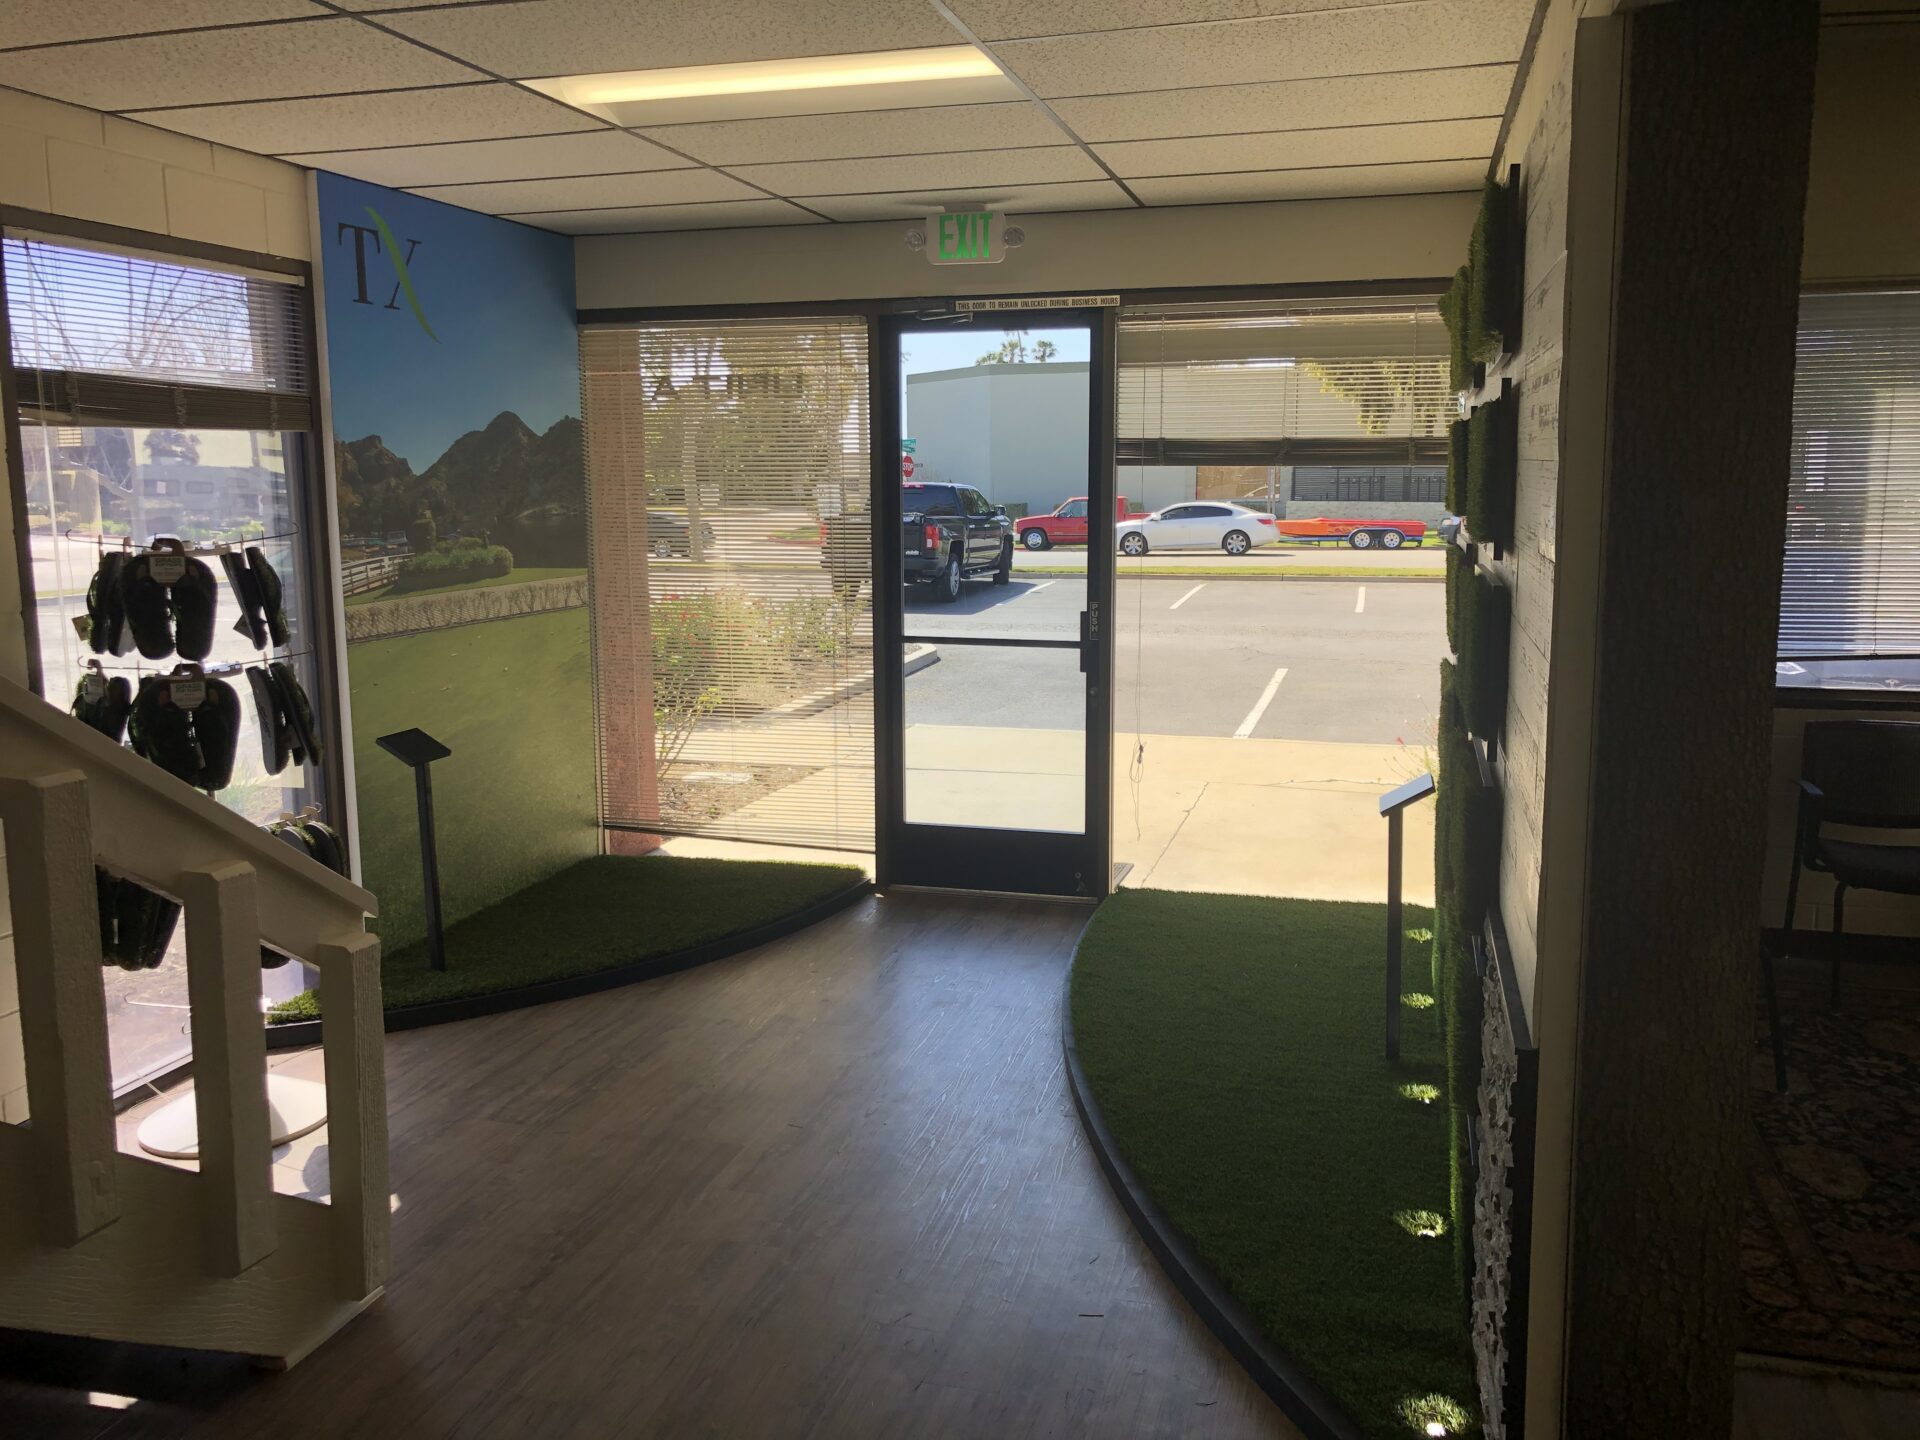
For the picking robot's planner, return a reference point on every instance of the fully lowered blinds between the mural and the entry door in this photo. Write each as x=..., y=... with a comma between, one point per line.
x=734, y=681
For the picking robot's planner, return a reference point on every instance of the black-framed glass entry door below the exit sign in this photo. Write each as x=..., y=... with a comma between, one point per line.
x=994, y=483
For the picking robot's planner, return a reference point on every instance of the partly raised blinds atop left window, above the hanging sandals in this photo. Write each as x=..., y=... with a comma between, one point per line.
x=118, y=339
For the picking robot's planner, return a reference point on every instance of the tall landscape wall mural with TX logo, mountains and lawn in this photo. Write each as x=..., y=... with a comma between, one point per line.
x=462, y=508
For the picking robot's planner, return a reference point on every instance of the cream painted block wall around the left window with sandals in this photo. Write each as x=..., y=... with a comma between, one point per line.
x=64, y=160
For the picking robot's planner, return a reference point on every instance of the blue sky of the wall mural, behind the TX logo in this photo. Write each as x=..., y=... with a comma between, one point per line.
x=500, y=304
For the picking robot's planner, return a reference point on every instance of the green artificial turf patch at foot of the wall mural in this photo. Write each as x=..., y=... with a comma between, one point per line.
x=598, y=915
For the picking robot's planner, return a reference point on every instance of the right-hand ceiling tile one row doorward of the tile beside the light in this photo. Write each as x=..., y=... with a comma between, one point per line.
x=1293, y=105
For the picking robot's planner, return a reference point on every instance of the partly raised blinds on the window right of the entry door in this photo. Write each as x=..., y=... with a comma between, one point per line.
x=1314, y=383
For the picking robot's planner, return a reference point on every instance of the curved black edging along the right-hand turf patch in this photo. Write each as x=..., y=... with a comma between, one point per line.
x=1305, y=1403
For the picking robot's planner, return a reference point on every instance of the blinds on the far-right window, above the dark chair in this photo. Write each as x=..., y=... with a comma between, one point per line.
x=1852, y=583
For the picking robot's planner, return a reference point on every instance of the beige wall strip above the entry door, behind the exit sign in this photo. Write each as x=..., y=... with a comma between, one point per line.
x=1291, y=243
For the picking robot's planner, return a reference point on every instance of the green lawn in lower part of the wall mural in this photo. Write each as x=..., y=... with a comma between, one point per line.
x=516, y=800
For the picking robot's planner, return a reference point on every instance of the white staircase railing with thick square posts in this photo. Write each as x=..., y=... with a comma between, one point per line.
x=110, y=1245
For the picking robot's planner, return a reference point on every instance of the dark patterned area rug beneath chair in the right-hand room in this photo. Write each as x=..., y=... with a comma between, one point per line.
x=1831, y=1249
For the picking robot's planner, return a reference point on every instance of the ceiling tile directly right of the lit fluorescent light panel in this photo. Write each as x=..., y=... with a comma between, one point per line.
x=1276, y=49
